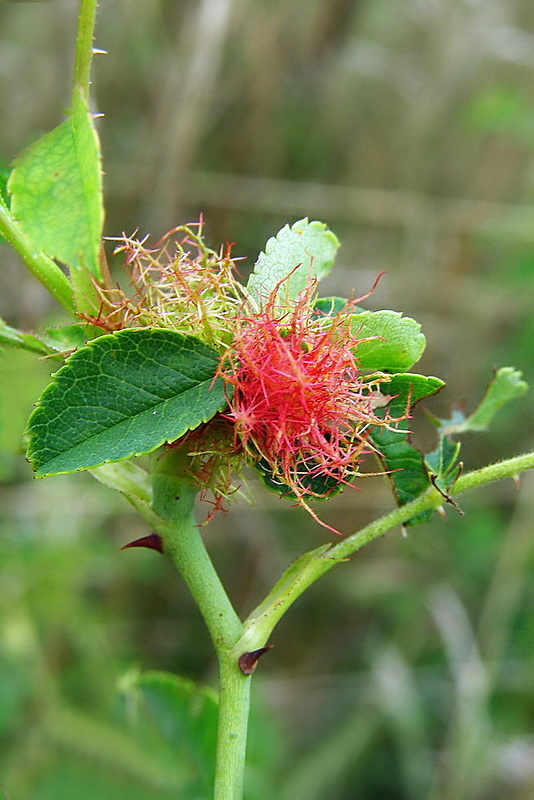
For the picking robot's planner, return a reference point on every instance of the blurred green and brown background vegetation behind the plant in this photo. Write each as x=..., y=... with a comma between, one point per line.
x=408, y=127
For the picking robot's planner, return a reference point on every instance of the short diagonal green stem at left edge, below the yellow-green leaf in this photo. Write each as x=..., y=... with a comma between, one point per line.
x=40, y=266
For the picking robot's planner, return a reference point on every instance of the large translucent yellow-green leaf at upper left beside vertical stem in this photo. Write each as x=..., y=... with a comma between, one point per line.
x=56, y=192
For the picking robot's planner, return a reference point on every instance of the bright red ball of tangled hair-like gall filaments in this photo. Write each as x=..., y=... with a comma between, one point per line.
x=302, y=408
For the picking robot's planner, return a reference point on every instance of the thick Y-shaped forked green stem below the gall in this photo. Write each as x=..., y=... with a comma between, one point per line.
x=172, y=516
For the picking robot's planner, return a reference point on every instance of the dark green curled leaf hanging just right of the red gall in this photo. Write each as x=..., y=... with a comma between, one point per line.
x=409, y=477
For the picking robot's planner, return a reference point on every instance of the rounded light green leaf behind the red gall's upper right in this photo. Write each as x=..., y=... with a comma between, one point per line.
x=398, y=342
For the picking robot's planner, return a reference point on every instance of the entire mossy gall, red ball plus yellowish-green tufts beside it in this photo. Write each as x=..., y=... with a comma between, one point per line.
x=299, y=407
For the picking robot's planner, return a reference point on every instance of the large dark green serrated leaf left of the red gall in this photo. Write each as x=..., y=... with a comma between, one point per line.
x=123, y=394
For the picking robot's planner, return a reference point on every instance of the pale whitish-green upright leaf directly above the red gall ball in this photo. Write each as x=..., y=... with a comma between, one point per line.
x=306, y=248
